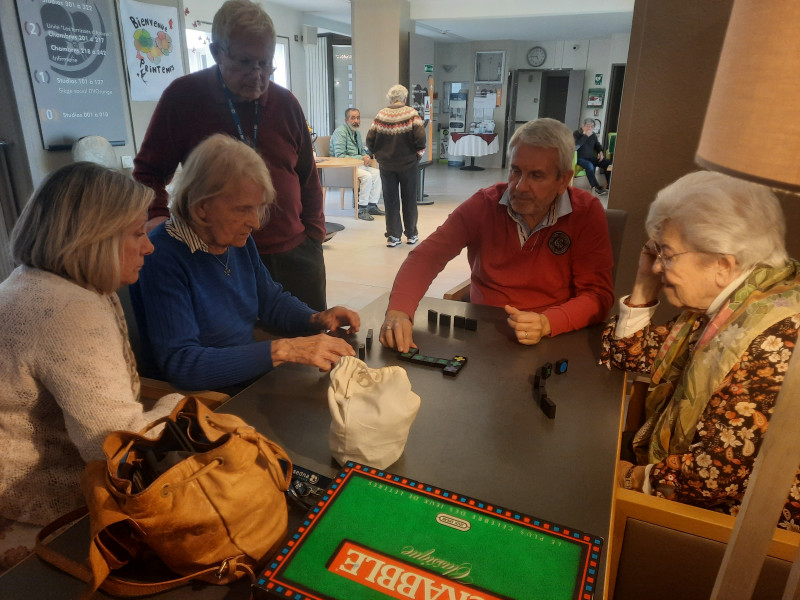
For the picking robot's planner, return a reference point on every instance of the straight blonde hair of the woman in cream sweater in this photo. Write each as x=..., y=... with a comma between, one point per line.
x=73, y=224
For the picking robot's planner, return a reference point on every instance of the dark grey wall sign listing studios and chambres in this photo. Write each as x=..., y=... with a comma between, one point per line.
x=71, y=50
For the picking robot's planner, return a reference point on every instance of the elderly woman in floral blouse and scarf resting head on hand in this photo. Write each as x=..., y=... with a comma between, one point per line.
x=717, y=252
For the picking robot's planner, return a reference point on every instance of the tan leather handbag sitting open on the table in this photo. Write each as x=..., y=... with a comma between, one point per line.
x=206, y=496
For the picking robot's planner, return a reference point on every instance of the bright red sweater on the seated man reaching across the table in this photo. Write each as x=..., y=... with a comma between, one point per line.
x=573, y=289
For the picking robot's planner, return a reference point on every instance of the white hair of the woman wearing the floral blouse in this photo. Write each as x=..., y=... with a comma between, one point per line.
x=717, y=213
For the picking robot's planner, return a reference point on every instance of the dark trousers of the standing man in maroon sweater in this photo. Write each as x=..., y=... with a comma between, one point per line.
x=301, y=272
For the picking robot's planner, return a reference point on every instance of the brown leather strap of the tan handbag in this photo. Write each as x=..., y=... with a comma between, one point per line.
x=113, y=585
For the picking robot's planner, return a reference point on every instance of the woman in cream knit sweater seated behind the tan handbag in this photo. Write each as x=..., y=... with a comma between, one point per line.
x=68, y=372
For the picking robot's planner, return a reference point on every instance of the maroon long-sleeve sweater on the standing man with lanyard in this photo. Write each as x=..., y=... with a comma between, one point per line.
x=194, y=107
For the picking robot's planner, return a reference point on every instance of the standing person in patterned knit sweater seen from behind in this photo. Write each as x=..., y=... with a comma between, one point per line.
x=397, y=138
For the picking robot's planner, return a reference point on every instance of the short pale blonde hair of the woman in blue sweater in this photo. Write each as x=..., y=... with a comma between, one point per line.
x=216, y=167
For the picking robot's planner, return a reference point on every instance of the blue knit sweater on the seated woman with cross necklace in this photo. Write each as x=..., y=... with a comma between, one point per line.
x=196, y=323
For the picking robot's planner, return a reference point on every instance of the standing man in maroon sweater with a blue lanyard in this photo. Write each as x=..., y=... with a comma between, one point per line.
x=236, y=97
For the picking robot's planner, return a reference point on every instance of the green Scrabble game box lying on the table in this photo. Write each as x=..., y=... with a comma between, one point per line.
x=376, y=535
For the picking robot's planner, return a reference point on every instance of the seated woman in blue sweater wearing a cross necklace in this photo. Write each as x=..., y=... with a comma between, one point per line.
x=204, y=288
